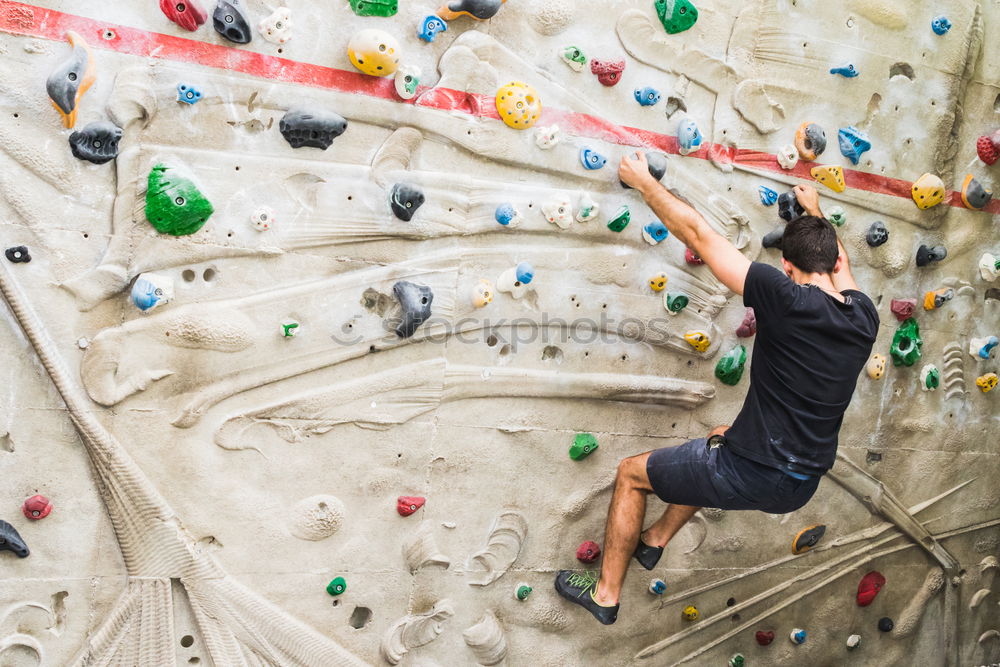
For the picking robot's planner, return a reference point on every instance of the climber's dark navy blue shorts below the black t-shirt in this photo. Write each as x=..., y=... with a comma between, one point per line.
x=702, y=476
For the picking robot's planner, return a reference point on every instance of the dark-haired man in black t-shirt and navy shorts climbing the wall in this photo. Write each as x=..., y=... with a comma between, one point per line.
x=815, y=331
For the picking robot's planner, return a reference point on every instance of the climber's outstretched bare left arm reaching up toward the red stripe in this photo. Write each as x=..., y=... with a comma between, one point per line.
x=728, y=264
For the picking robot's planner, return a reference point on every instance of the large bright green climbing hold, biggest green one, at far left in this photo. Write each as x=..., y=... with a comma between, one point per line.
x=174, y=204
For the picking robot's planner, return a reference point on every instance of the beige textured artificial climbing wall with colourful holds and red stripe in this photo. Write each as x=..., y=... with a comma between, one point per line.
x=252, y=358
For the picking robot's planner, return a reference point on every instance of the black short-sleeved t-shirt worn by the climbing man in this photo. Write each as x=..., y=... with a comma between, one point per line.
x=809, y=350
